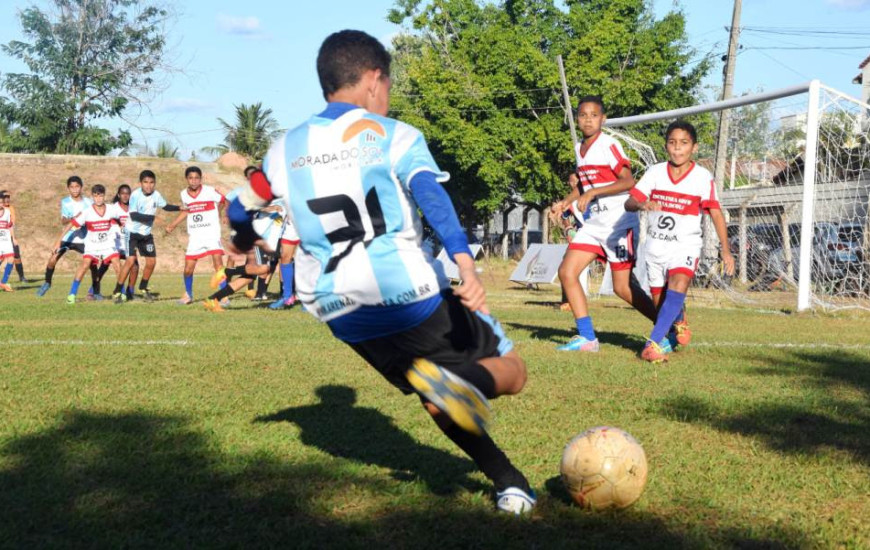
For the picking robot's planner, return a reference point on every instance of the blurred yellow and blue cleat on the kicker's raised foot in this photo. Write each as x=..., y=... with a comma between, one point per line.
x=455, y=397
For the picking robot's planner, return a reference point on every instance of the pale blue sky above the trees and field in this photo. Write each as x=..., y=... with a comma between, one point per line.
x=264, y=50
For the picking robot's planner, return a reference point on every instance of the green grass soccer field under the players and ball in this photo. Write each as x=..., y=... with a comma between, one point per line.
x=161, y=426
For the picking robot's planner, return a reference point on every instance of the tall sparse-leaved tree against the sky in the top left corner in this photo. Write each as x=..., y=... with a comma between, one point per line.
x=88, y=59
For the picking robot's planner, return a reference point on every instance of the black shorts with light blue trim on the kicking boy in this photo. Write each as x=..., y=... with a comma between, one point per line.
x=451, y=337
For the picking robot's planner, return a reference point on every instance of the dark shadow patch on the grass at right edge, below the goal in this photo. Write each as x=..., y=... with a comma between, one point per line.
x=793, y=427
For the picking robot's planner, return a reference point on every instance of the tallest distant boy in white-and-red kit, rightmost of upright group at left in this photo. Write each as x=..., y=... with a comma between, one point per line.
x=203, y=204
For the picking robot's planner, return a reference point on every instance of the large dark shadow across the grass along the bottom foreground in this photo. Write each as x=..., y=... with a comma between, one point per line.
x=138, y=480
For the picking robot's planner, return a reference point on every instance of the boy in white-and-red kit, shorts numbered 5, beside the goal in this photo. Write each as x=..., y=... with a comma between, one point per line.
x=675, y=194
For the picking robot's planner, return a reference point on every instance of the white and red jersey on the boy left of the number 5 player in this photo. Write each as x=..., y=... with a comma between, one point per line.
x=600, y=167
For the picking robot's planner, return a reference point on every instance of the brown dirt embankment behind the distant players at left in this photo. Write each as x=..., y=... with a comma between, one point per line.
x=38, y=183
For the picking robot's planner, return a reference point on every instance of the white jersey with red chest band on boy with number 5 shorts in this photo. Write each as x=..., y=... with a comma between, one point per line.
x=676, y=228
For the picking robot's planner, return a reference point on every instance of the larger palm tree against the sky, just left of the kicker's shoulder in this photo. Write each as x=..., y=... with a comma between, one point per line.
x=252, y=133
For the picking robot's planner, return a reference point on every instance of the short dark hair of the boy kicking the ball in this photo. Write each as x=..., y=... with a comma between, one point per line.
x=345, y=55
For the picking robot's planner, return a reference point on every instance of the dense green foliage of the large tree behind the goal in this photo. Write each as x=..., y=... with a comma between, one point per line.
x=480, y=79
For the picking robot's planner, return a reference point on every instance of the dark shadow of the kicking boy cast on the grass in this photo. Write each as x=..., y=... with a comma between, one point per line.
x=338, y=427
